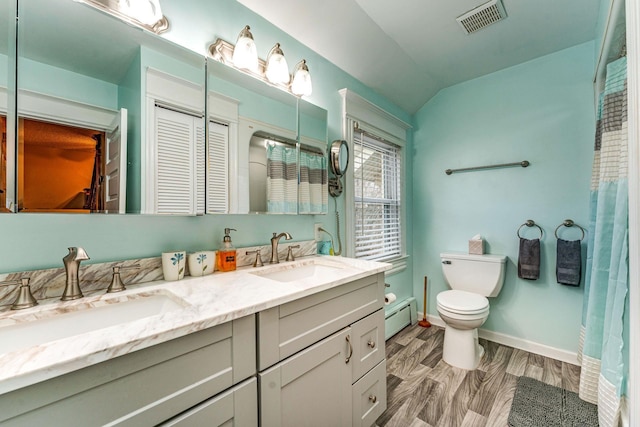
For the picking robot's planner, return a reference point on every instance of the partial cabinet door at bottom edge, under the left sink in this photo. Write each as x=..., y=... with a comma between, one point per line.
x=235, y=407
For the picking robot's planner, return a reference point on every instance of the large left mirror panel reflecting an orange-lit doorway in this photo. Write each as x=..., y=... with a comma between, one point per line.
x=84, y=108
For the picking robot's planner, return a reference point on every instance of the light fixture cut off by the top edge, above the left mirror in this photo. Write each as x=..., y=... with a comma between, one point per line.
x=145, y=14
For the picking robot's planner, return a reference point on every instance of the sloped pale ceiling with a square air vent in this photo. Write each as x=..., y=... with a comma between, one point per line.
x=407, y=50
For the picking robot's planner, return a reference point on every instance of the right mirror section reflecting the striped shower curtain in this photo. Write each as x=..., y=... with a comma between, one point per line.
x=277, y=144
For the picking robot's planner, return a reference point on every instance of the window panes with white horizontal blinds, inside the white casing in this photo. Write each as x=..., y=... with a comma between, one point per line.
x=377, y=197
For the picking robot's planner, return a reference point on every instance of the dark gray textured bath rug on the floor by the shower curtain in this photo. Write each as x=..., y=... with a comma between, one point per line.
x=536, y=404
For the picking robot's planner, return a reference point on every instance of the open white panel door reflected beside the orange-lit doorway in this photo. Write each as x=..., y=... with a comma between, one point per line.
x=116, y=164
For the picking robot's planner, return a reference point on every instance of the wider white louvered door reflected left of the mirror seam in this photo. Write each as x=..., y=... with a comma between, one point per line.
x=176, y=184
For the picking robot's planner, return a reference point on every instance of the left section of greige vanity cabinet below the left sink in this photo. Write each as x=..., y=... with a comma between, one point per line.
x=150, y=386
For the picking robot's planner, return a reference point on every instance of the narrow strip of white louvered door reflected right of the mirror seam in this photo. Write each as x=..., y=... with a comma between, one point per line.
x=218, y=171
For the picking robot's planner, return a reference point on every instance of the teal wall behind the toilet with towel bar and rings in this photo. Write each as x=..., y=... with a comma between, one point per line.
x=541, y=111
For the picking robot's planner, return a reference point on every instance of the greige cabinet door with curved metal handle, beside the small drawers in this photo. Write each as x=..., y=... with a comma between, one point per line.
x=311, y=388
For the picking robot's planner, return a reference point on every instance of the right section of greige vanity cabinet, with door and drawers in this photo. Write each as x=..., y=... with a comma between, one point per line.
x=321, y=358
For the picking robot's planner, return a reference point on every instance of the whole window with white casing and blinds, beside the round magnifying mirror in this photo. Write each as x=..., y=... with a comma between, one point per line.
x=375, y=205
